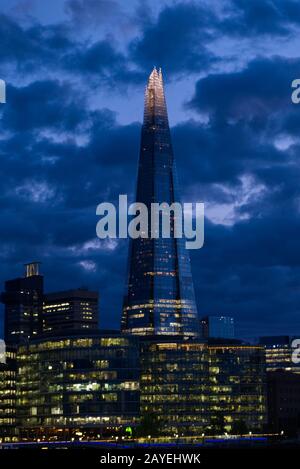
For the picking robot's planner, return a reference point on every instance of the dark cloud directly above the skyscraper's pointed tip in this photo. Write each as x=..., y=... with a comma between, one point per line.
x=176, y=40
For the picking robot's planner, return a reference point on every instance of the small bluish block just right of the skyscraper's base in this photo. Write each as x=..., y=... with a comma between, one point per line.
x=217, y=327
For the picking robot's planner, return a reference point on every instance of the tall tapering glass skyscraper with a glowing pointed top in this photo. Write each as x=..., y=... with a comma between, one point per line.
x=160, y=293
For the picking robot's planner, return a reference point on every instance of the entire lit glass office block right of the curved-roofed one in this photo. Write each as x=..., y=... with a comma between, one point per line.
x=190, y=388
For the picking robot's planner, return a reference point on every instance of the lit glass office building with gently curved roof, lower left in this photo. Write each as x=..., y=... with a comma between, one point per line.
x=82, y=383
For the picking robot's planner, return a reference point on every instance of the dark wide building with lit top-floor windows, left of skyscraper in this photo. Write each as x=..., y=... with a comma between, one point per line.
x=70, y=310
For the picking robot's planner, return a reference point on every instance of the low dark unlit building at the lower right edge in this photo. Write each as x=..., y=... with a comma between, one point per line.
x=284, y=402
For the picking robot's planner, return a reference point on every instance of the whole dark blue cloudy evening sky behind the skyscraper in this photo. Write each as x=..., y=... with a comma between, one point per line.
x=76, y=71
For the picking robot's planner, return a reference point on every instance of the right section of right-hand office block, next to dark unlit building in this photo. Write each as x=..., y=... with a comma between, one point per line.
x=237, y=388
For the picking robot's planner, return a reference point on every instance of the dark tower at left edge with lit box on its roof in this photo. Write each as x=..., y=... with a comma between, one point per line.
x=23, y=300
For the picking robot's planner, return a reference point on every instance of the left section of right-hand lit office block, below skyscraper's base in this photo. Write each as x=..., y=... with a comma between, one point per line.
x=174, y=386
